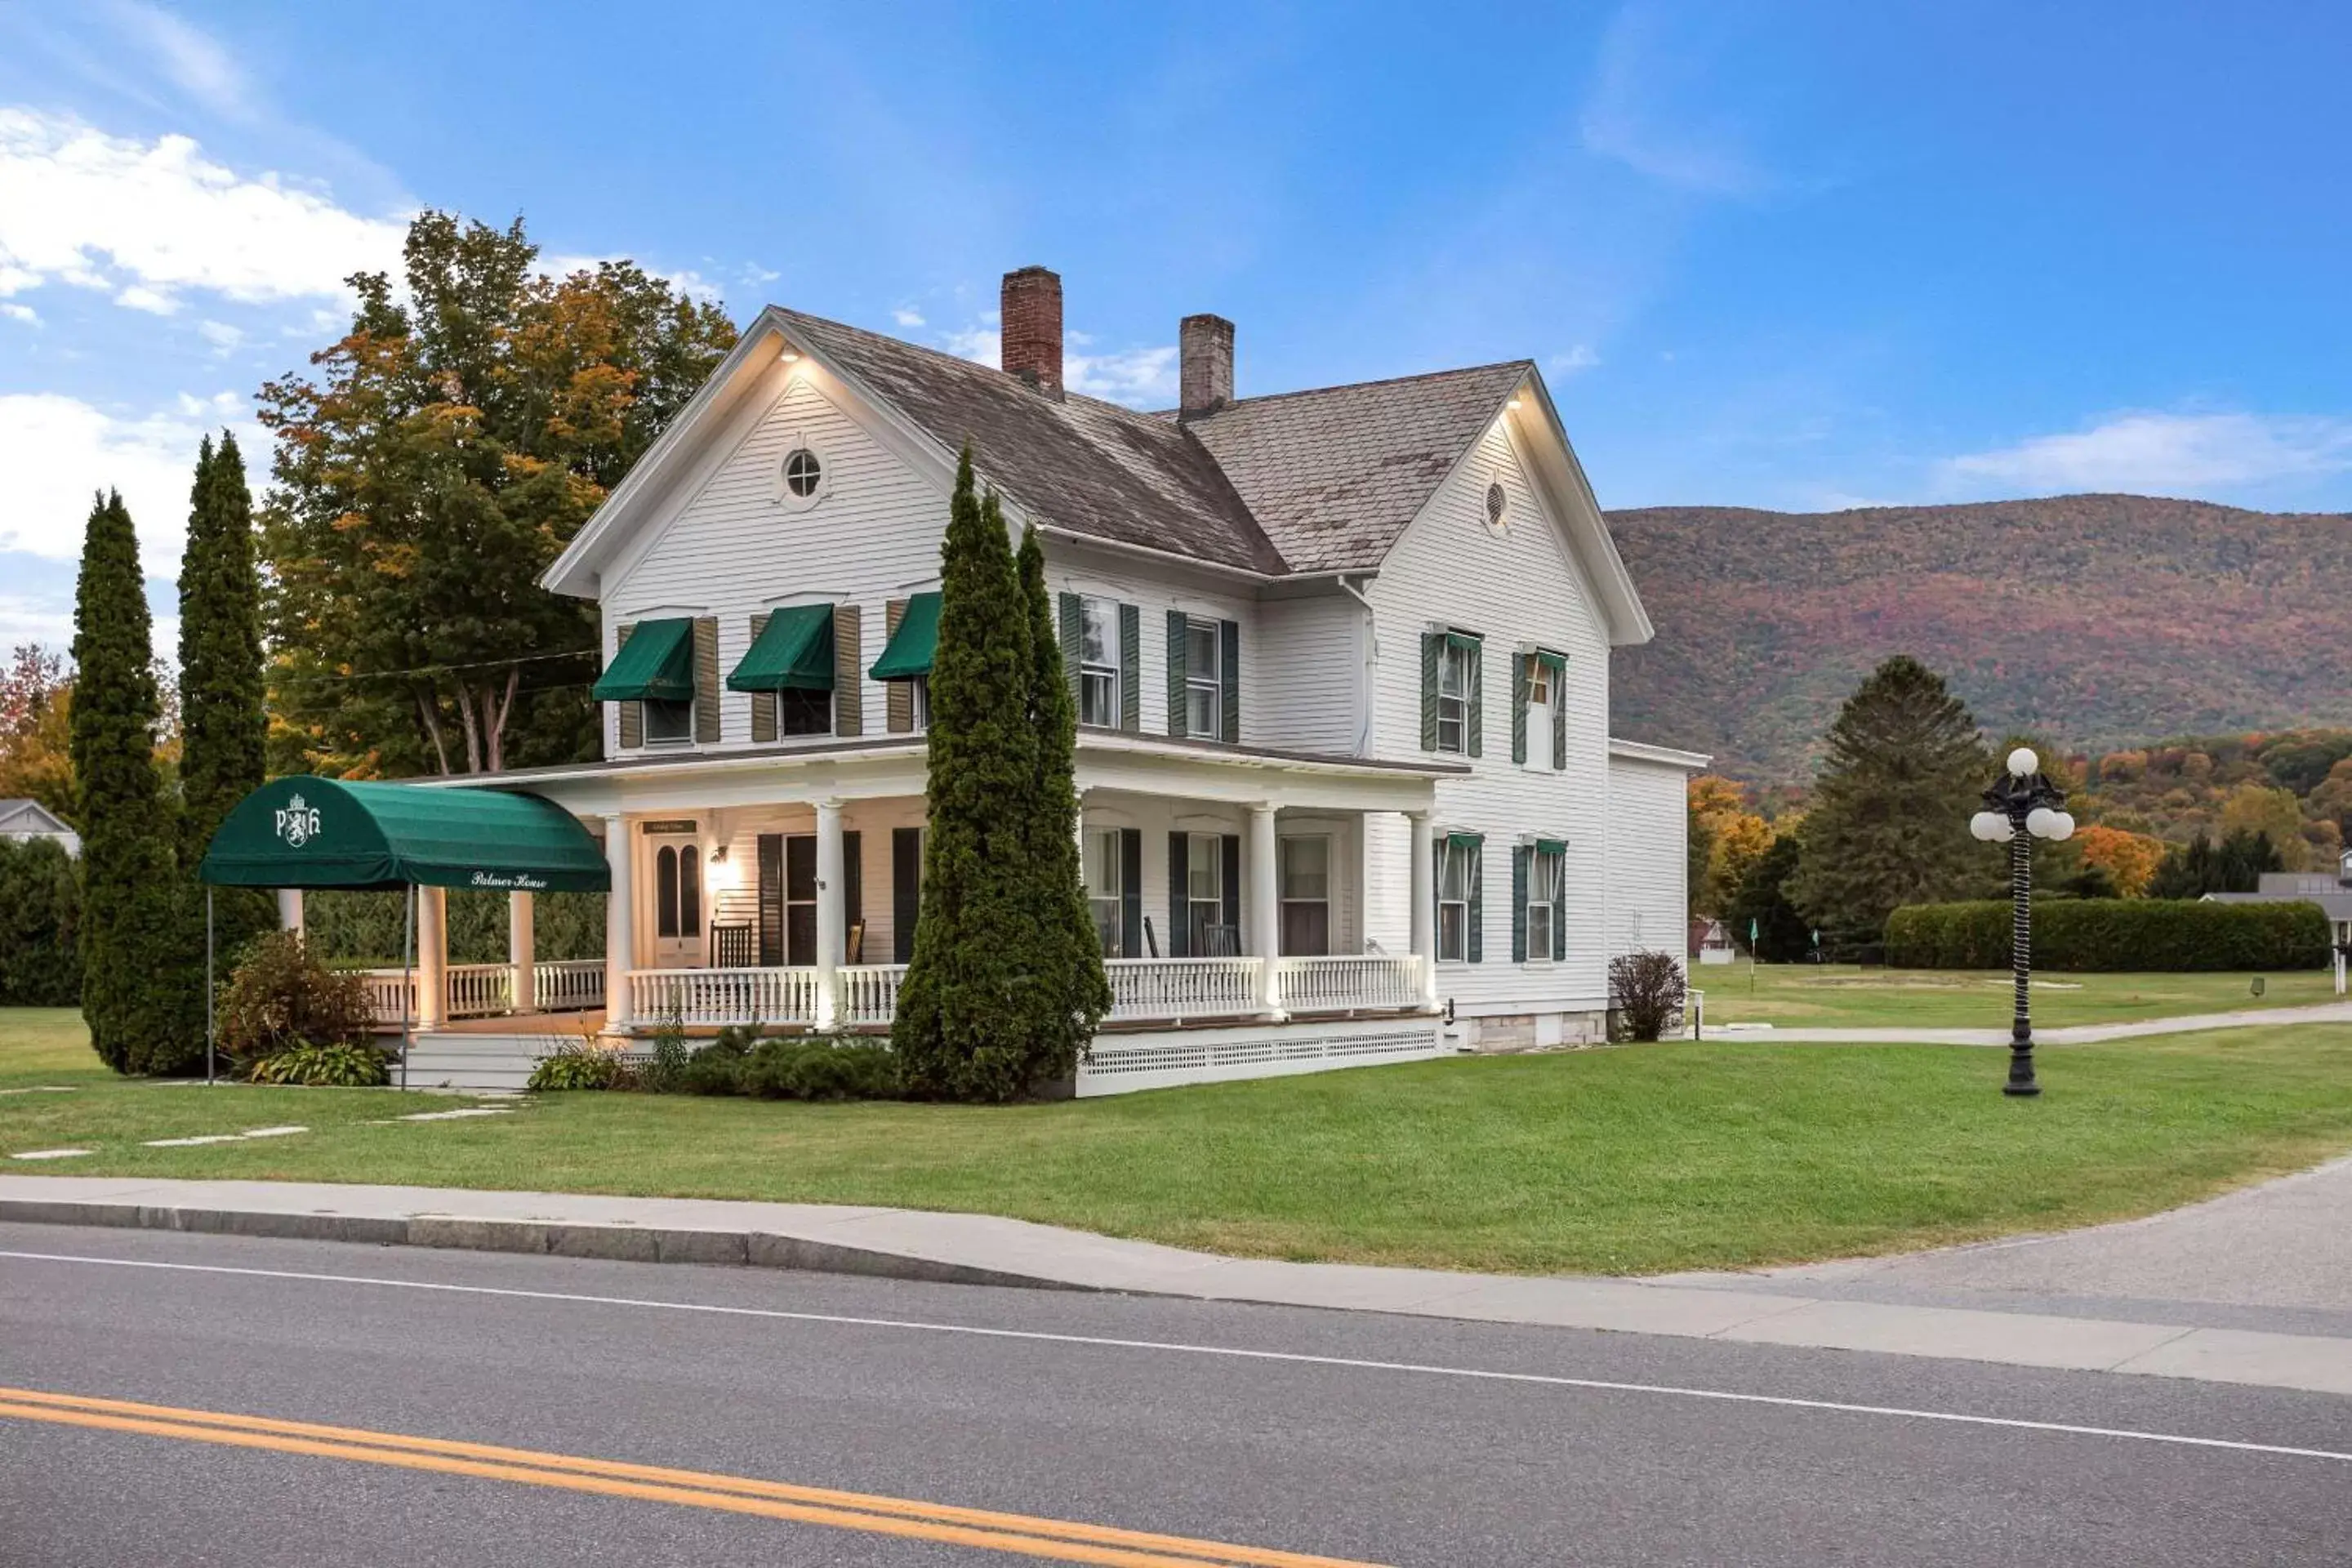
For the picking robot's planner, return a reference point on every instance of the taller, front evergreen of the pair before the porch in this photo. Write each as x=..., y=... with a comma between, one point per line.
x=970, y=996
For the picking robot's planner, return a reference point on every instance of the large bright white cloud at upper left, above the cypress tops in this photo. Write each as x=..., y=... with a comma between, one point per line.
x=156, y=217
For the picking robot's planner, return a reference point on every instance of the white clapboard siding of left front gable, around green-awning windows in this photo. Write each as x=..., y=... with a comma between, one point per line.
x=733, y=549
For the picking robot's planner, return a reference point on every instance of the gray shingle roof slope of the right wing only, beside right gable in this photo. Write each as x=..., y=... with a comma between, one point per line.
x=1335, y=476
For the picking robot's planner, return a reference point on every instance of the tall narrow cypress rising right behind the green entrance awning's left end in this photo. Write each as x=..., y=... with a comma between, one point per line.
x=220, y=685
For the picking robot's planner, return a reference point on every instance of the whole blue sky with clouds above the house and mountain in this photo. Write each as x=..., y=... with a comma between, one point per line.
x=1793, y=257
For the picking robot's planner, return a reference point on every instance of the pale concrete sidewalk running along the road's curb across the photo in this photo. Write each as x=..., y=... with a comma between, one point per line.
x=980, y=1249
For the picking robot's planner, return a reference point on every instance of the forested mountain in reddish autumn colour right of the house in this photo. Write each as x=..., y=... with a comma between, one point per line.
x=2092, y=619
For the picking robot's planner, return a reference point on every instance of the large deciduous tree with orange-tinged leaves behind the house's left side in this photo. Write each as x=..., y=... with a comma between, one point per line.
x=441, y=457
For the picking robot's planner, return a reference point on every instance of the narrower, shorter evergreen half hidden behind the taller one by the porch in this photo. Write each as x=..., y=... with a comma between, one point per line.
x=1069, y=951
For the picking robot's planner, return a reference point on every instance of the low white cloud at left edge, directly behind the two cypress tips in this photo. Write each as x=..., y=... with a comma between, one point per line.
x=60, y=450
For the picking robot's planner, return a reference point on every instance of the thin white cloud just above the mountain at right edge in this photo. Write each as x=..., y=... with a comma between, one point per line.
x=2167, y=453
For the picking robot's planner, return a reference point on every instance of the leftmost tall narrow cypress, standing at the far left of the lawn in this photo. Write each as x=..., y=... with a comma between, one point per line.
x=133, y=939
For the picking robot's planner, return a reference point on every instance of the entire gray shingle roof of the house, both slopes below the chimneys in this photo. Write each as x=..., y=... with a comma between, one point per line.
x=1295, y=483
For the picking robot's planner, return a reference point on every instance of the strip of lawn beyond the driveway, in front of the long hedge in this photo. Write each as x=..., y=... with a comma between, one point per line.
x=1843, y=996
